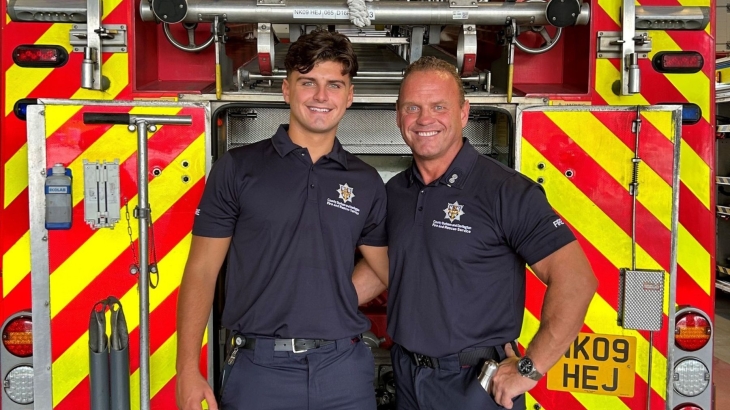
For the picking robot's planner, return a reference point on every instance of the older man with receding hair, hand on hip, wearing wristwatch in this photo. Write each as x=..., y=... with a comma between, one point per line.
x=461, y=228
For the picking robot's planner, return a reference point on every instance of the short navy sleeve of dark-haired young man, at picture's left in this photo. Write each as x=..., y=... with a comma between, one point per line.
x=218, y=210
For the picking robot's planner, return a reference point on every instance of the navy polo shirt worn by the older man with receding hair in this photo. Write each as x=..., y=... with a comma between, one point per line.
x=458, y=249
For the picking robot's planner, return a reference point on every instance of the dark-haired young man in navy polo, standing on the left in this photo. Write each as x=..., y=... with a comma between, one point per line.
x=289, y=212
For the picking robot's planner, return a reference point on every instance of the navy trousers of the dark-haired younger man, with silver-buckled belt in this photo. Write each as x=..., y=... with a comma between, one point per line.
x=338, y=376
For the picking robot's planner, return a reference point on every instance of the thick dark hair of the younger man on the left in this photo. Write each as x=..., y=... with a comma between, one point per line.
x=320, y=46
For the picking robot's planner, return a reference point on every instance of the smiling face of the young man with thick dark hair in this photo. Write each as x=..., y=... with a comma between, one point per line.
x=317, y=99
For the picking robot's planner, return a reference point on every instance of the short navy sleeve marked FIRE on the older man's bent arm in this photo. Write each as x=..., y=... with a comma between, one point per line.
x=529, y=223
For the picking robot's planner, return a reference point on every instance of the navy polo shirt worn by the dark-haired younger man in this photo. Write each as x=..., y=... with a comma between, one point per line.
x=295, y=226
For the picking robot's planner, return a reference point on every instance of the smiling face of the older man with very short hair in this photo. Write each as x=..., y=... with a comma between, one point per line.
x=431, y=117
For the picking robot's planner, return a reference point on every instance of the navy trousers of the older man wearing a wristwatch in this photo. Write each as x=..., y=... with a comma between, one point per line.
x=448, y=387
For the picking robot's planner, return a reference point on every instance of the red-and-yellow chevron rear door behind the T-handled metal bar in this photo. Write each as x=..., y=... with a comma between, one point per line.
x=85, y=242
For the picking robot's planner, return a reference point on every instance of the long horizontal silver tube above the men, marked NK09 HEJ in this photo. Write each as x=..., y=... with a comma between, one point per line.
x=385, y=12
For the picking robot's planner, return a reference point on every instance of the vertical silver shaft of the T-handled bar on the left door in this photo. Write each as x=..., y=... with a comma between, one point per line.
x=143, y=284
